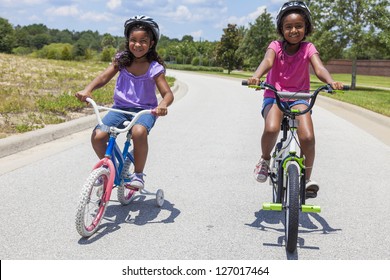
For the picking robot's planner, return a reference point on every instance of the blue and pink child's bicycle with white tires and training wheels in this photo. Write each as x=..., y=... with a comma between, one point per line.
x=112, y=171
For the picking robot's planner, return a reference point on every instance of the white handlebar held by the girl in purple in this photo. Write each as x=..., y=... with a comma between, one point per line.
x=128, y=125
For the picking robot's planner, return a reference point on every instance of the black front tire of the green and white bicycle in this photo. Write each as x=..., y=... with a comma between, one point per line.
x=292, y=208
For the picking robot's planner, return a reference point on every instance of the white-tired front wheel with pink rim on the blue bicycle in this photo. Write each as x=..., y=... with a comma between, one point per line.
x=93, y=203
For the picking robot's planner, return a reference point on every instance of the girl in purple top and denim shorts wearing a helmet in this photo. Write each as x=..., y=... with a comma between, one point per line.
x=140, y=71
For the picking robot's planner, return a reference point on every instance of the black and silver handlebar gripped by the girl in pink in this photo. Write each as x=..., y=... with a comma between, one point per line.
x=294, y=96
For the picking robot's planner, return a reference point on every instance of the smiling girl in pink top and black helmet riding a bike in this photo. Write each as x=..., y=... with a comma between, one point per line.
x=286, y=64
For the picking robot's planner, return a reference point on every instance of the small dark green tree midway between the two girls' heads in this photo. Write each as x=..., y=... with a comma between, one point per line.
x=227, y=48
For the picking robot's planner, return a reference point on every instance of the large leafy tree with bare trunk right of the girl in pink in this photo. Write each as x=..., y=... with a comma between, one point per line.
x=344, y=24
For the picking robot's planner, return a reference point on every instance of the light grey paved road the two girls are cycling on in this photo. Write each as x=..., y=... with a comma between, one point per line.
x=202, y=154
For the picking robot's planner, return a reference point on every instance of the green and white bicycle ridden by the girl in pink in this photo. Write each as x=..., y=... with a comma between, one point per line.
x=287, y=173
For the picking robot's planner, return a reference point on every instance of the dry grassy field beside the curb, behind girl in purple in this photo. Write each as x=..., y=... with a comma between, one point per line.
x=37, y=92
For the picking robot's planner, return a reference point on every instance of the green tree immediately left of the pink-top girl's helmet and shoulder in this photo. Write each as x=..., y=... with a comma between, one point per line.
x=256, y=40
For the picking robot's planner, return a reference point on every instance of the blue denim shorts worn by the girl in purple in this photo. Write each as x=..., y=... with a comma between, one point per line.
x=117, y=119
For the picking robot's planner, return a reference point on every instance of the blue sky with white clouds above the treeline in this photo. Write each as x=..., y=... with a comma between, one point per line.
x=203, y=19
